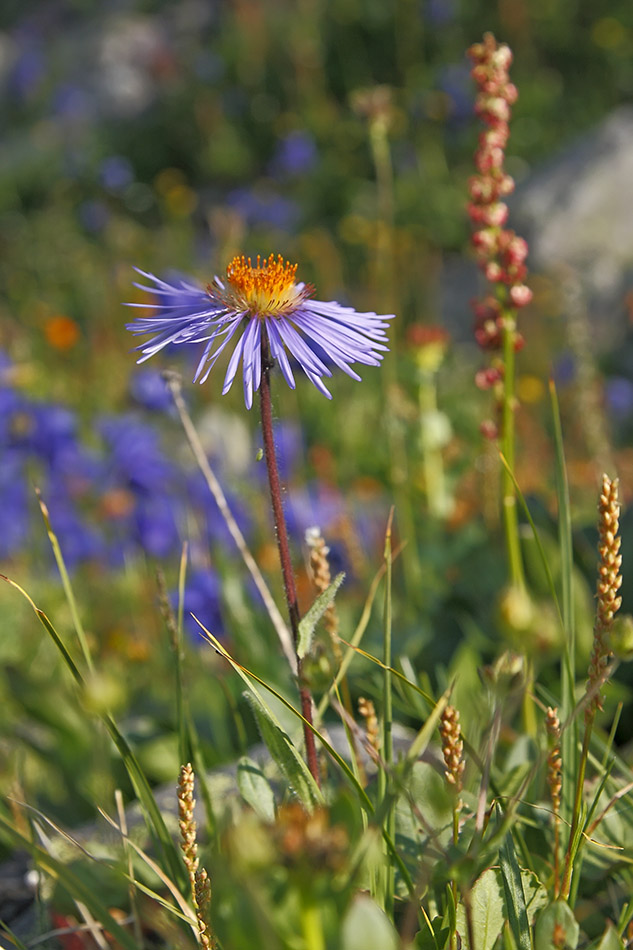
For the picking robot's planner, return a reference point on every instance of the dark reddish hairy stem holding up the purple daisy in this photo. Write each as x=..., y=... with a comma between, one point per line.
x=284, y=551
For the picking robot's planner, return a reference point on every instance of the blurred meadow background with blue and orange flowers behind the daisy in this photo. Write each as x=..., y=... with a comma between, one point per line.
x=171, y=136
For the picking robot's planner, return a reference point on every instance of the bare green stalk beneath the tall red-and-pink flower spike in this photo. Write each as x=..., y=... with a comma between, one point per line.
x=510, y=514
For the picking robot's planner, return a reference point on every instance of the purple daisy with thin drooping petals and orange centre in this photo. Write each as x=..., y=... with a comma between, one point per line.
x=260, y=307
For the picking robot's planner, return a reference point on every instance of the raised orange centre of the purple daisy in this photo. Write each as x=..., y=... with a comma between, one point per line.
x=266, y=289
